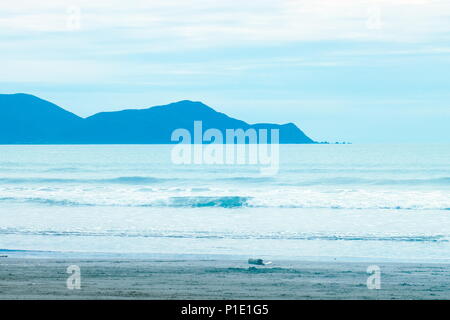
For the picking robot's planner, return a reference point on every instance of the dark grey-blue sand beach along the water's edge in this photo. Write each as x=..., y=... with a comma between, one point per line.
x=36, y=278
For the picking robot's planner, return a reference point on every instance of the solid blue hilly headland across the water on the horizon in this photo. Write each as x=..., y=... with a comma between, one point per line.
x=26, y=119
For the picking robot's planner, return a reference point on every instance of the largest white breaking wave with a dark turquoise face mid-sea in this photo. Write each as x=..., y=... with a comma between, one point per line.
x=236, y=202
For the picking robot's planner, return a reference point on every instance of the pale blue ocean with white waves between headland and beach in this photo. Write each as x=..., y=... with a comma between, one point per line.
x=327, y=202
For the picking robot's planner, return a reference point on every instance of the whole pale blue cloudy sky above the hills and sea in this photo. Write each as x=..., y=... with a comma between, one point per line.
x=361, y=71
